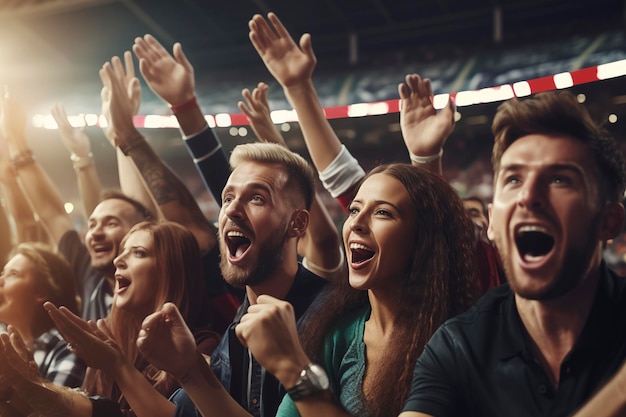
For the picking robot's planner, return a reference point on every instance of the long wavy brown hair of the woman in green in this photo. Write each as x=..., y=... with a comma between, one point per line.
x=440, y=283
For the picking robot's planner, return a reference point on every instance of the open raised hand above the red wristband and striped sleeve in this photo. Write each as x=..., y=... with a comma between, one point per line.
x=169, y=77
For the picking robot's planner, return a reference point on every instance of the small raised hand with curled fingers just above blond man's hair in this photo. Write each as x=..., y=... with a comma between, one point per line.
x=257, y=109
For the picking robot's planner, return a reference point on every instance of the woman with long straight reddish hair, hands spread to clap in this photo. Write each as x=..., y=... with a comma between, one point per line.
x=158, y=263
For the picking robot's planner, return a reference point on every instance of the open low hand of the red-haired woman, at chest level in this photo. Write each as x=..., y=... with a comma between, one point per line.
x=87, y=340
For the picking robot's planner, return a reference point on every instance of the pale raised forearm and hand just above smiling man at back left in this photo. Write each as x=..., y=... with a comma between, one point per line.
x=77, y=143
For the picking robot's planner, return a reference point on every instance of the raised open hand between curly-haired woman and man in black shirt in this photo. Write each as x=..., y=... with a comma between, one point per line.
x=424, y=129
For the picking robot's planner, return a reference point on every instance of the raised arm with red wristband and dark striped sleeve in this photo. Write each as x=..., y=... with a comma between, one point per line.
x=171, y=77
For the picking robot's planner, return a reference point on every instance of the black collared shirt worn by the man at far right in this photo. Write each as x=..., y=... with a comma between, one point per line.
x=480, y=364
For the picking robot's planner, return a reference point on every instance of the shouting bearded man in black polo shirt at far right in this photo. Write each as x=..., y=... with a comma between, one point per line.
x=544, y=343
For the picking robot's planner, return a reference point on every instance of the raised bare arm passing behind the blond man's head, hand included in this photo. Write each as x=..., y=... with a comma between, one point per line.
x=320, y=246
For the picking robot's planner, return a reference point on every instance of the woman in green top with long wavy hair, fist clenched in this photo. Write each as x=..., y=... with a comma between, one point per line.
x=409, y=248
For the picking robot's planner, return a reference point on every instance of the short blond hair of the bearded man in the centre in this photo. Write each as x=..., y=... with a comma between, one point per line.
x=300, y=174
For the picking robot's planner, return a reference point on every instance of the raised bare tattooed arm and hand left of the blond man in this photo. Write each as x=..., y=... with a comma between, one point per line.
x=174, y=199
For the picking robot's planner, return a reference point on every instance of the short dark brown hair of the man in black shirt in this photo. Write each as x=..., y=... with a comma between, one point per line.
x=559, y=113
